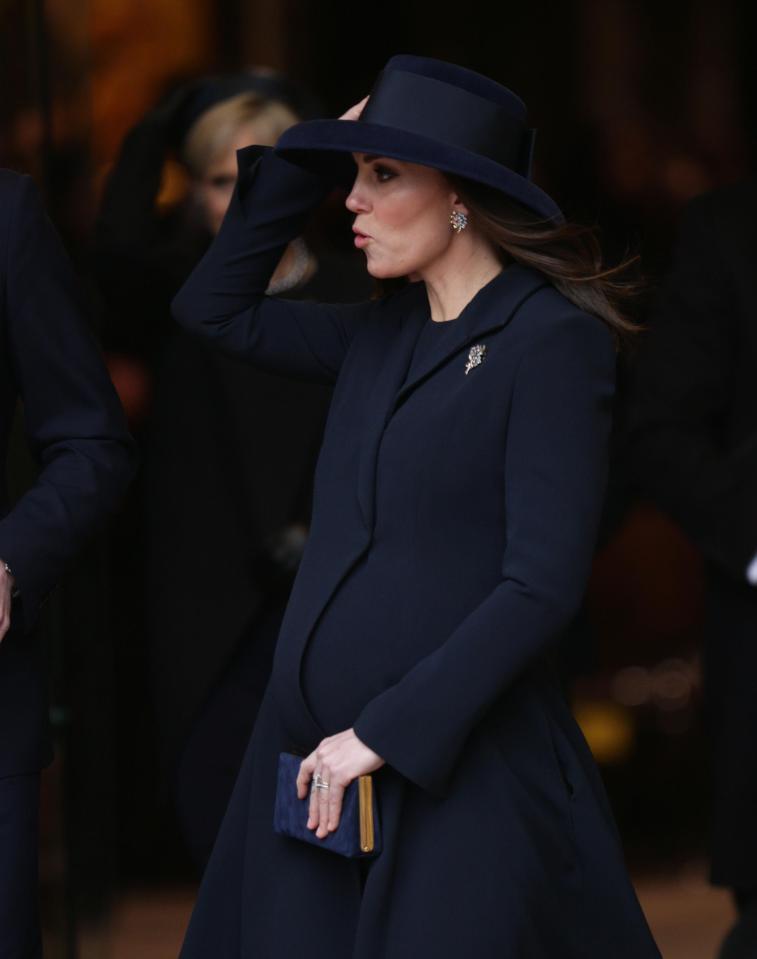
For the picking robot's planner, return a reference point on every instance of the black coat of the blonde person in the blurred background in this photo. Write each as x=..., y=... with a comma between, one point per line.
x=229, y=454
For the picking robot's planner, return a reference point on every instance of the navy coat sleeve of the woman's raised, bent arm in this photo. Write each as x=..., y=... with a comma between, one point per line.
x=224, y=299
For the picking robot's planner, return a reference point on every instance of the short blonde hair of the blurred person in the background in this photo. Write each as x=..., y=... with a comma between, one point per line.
x=212, y=133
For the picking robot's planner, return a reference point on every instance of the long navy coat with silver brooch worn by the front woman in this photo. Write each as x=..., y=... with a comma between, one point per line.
x=475, y=499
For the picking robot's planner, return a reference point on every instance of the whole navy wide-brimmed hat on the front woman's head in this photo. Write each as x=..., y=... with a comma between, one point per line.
x=437, y=114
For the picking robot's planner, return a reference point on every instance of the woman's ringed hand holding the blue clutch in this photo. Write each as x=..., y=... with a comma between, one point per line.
x=338, y=760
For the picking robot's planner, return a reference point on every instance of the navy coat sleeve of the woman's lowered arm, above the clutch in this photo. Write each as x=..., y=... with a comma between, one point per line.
x=556, y=454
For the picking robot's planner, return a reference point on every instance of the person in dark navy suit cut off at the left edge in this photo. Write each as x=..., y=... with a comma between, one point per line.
x=77, y=433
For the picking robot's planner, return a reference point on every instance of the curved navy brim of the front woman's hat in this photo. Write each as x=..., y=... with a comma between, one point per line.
x=324, y=146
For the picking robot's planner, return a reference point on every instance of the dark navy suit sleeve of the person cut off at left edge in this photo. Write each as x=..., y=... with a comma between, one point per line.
x=74, y=422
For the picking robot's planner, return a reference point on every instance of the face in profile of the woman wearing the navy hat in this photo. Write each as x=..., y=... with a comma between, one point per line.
x=401, y=215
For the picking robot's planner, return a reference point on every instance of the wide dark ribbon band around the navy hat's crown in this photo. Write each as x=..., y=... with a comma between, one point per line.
x=432, y=108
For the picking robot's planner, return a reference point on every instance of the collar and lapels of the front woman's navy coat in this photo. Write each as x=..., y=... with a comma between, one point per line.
x=490, y=309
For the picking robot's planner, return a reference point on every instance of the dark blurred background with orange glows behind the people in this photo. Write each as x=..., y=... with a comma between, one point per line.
x=640, y=106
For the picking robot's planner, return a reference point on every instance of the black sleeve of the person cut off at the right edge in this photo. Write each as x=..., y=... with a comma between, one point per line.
x=682, y=389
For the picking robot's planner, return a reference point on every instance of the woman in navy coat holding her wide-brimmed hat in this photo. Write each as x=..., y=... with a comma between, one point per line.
x=456, y=503
